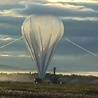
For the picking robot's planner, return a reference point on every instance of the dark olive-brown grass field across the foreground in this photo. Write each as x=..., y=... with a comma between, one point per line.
x=31, y=90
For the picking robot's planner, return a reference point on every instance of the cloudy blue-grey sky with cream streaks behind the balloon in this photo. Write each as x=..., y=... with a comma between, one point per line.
x=80, y=19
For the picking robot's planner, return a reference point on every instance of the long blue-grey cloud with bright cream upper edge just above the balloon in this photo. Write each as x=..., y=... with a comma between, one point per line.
x=58, y=9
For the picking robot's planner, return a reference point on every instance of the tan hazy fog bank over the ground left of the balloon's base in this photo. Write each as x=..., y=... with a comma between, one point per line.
x=17, y=77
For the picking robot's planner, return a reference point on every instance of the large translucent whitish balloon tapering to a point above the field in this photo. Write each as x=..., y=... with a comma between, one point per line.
x=42, y=34
